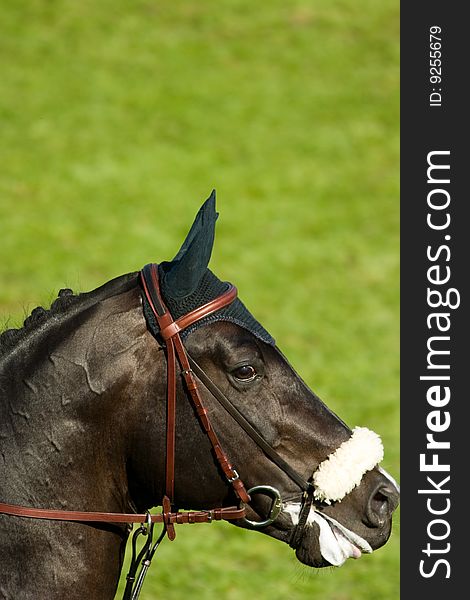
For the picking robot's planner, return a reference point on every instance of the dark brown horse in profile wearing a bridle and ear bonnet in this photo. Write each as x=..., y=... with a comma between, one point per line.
x=83, y=426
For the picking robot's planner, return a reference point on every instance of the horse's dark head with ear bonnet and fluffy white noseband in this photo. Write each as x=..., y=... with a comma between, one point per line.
x=333, y=500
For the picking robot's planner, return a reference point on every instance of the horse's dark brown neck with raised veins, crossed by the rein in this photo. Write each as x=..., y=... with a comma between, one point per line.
x=66, y=424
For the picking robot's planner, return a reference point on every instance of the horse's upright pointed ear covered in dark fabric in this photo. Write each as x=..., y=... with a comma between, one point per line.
x=184, y=272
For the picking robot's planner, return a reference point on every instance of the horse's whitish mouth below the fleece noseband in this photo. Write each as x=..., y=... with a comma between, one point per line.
x=326, y=542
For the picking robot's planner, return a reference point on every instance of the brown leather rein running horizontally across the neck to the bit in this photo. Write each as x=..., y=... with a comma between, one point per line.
x=206, y=516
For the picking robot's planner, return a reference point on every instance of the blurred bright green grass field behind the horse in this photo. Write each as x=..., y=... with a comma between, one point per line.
x=118, y=118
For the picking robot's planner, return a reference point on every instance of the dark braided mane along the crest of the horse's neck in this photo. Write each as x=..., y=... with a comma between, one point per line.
x=65, y=301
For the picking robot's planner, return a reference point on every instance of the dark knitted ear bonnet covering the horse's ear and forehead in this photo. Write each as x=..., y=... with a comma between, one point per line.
x=187, y=283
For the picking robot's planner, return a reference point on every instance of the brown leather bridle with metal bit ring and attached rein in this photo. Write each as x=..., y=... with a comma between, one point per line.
x=169, y=334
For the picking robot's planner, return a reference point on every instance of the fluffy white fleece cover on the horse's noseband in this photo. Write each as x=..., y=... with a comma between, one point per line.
x=344, y=468
